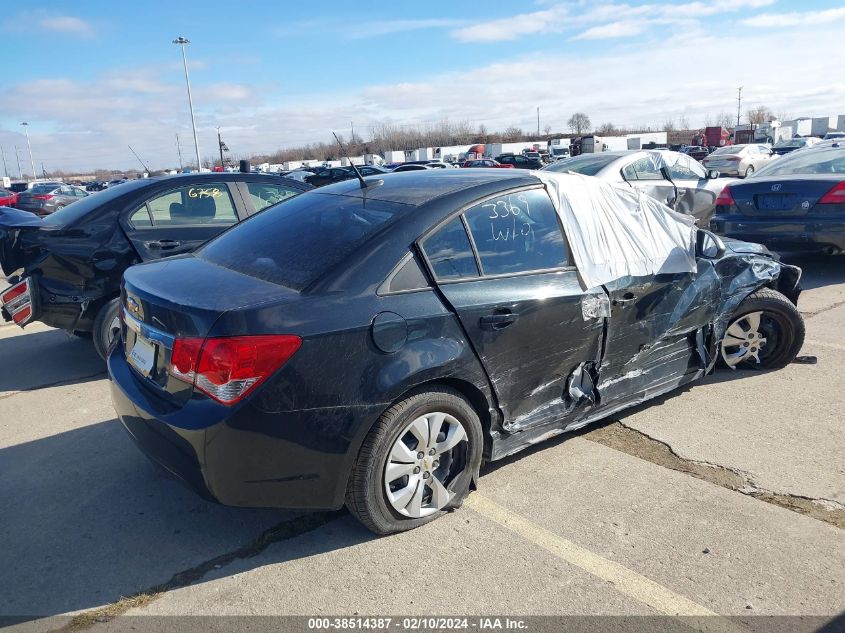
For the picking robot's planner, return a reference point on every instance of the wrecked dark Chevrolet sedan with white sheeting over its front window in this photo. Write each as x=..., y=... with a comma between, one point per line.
x=372, y=346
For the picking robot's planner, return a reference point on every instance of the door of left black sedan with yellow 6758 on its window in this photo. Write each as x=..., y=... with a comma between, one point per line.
x=180, y=219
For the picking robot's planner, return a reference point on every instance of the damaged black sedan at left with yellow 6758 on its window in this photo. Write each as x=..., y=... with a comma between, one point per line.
x=68, y=265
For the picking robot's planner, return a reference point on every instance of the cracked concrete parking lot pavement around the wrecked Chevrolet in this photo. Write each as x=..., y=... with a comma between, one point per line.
x=726, y=497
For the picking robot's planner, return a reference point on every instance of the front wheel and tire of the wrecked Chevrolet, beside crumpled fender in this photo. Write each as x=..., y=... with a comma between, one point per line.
x=779, y=326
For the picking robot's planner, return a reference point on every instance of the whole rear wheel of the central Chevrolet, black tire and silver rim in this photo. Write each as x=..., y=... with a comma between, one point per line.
x=380, y=504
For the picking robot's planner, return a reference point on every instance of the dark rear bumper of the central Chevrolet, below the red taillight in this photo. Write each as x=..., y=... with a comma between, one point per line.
x=241, y=456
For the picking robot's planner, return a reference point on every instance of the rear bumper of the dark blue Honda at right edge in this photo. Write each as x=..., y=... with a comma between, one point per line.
x=786, y=234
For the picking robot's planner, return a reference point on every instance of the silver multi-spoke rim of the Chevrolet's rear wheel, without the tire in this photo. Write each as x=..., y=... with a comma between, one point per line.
x=426, y=457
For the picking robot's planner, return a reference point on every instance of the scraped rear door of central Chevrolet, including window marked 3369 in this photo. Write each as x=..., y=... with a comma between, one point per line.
x=503, y=267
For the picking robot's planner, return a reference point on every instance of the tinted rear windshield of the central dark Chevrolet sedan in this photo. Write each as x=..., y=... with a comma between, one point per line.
x=294, y=243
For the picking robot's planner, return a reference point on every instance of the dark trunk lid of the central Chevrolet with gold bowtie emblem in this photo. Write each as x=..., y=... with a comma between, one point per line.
x=181, y=297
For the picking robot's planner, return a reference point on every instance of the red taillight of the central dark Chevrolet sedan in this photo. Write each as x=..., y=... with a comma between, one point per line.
x=228, y=368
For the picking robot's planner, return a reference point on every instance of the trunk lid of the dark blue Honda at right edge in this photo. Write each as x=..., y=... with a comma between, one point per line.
x=776, y=196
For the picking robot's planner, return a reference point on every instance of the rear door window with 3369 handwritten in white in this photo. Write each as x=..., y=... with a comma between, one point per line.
x=517, y=232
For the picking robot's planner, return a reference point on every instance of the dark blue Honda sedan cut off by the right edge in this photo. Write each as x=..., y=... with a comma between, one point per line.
x=795, y=204
